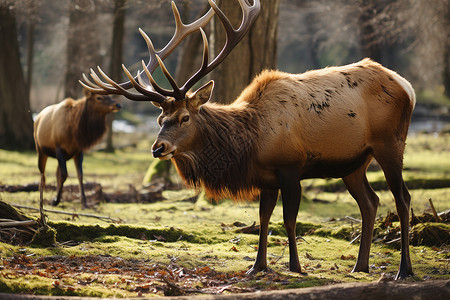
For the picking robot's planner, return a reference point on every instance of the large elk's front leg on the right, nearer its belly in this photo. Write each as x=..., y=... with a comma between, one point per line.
x=291, y=193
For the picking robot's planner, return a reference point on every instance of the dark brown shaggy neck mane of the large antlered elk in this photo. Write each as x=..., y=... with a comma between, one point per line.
x=220, y=162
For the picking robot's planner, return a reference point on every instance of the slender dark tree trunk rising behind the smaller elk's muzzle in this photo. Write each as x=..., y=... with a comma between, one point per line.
x=116, y=60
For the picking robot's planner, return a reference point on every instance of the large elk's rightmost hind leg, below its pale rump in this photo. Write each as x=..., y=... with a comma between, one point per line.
x=392, y=168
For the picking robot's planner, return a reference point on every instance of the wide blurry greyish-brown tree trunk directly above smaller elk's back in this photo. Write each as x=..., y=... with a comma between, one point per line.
x=82, y=44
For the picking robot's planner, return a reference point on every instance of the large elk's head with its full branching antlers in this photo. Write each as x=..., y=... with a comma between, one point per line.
x=180, y=107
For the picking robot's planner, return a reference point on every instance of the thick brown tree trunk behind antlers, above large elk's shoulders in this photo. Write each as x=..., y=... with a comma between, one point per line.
x=257, y=51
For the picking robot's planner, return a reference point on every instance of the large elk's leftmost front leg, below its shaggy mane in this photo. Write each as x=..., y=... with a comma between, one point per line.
x=267, y=202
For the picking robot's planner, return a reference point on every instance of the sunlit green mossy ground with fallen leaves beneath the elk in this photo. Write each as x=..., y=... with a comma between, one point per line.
x=173, y=234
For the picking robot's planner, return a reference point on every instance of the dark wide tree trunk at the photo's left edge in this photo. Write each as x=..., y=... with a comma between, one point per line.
x=16, y=124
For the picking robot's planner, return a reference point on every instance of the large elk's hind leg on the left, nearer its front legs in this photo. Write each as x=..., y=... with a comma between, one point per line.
x=368, y=201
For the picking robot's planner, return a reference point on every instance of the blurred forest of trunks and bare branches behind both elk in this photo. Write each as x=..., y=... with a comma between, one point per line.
x=46, y=46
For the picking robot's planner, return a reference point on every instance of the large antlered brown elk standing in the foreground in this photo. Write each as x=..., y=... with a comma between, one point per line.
x=283, y=128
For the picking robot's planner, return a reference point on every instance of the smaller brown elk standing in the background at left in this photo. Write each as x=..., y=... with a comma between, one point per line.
x=66, y=130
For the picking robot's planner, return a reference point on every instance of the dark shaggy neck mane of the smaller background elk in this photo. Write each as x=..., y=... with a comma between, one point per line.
x=91, y=126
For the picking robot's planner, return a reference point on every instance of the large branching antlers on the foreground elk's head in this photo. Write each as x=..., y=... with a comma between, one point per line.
x=146, y=86
